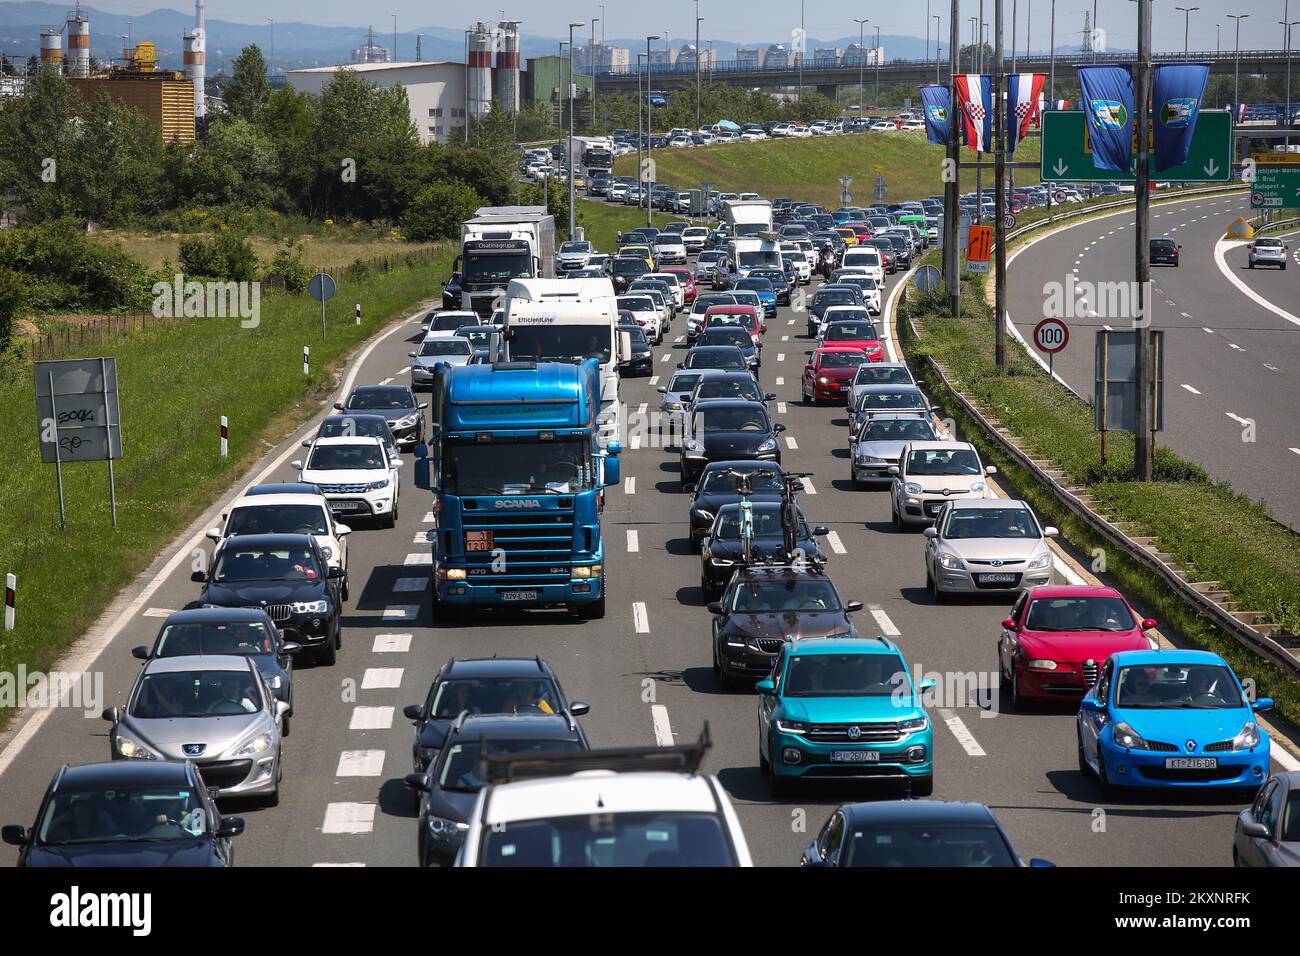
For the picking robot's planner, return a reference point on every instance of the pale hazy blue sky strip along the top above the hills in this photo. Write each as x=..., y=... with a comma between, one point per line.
x=747, y=21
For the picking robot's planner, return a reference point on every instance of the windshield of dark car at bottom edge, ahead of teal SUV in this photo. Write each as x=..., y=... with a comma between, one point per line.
x=926, y=846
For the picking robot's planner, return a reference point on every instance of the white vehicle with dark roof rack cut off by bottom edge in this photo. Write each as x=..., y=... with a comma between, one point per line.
x=635, y=807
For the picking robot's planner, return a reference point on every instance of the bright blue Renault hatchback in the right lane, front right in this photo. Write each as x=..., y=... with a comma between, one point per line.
x=1172, y=719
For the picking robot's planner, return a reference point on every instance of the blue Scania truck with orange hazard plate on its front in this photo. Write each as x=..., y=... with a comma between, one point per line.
x=518, y=479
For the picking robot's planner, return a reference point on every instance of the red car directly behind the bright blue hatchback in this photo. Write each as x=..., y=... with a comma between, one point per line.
x=1059, y=637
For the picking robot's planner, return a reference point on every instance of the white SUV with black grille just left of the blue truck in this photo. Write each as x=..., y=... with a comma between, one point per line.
x=357, y=475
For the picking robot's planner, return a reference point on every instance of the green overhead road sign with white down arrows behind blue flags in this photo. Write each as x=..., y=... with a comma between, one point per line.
x=1067, y=152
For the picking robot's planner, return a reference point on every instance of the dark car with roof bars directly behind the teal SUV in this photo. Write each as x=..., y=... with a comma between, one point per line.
x=766, y=607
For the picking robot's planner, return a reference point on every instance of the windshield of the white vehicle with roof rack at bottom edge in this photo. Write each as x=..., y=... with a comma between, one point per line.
x=658, y=838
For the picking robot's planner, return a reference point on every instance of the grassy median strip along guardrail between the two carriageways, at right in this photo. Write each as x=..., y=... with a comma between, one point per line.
x=1214, y=531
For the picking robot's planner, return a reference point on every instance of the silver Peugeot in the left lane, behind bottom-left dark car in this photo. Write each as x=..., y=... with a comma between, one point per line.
x=215, y=711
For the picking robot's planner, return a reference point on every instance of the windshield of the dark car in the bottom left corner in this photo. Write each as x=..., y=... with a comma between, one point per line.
x=127, y=815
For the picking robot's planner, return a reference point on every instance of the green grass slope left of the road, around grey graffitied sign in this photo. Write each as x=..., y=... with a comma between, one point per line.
x=176, y=380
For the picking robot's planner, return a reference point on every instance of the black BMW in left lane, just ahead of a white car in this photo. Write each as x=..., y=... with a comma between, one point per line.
x=289, y=578
